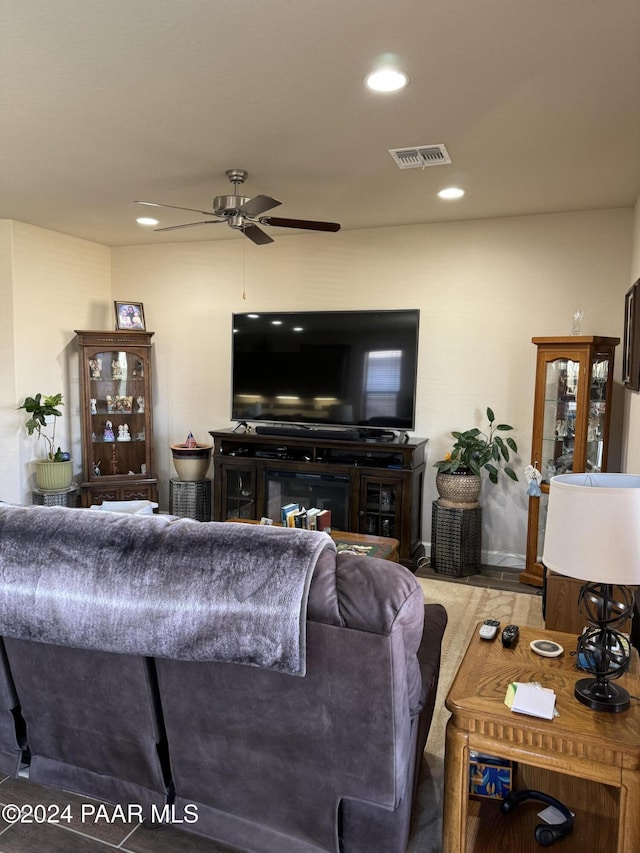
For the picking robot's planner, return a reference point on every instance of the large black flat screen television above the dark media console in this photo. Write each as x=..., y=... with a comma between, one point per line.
x=334, y=368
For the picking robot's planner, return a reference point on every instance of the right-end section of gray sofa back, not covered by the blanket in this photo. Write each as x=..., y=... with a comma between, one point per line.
x=281, y=753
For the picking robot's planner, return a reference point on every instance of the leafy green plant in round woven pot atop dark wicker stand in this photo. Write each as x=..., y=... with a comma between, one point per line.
x=474, y=452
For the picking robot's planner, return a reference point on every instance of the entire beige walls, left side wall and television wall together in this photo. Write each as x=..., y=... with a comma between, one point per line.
x=484, y=289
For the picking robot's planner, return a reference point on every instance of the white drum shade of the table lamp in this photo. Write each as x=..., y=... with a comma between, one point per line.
x=593, y=527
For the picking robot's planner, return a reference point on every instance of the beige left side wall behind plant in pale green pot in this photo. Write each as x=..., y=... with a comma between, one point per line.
x=52, y=284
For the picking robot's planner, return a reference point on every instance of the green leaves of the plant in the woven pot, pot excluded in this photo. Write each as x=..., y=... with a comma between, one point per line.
x=475, y=450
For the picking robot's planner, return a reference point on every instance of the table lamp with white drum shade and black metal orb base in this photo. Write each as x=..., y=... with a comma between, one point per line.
x=593, y=534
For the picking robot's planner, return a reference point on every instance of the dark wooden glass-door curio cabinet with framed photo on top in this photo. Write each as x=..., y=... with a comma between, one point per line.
x=117, y=417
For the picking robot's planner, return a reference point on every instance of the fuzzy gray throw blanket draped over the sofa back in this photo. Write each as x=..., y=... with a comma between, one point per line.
x=156, y=586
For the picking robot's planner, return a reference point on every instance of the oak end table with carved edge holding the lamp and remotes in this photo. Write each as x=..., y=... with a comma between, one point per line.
x=587, y=759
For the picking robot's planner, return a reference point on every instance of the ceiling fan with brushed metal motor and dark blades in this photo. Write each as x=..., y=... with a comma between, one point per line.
x=244, y=214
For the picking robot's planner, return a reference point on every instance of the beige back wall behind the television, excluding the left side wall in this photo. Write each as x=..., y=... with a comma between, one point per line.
x=484, y=289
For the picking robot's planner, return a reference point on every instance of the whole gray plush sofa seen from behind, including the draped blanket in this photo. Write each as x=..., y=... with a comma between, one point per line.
x=244, y=674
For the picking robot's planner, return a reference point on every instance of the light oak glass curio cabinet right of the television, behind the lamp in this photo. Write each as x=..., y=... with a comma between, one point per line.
x=571, y=417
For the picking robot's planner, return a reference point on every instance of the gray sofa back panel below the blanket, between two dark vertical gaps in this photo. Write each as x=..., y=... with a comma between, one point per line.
x=92, y=721
